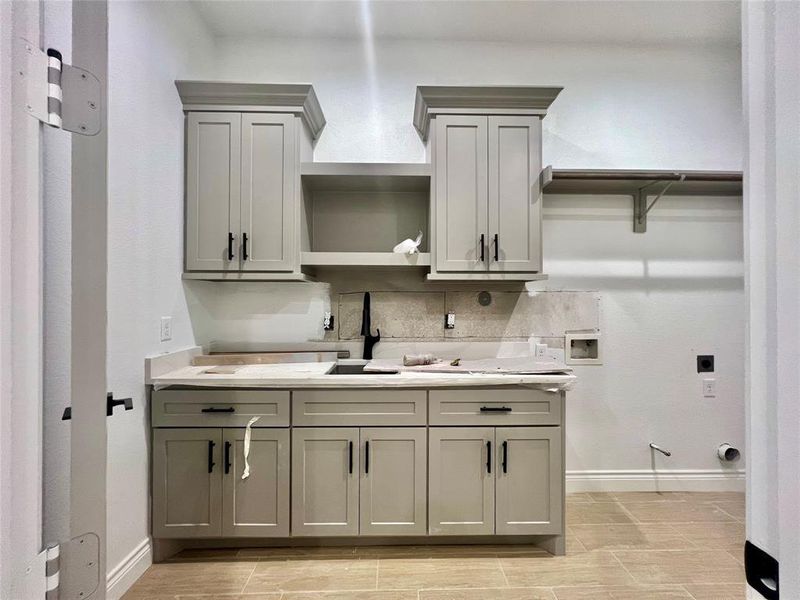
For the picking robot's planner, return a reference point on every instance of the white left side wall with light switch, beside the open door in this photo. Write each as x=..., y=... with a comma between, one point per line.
x=150, y=45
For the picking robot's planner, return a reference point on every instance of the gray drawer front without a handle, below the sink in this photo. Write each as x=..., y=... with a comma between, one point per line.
x=354, y=408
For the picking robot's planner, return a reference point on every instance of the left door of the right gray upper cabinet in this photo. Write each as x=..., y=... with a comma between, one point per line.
x=461, y=193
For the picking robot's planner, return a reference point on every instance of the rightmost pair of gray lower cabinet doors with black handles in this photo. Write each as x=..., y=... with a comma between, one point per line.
x=503, y=480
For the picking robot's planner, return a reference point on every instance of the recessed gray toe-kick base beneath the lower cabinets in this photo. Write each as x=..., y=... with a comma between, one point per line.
x=164, y=549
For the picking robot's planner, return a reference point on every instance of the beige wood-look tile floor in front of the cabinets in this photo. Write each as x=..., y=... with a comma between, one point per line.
x=622, y=546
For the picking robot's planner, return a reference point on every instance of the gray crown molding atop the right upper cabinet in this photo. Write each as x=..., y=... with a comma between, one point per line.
x=499, y=99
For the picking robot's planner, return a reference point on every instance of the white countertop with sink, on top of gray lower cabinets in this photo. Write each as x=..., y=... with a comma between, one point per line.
x=314, y=375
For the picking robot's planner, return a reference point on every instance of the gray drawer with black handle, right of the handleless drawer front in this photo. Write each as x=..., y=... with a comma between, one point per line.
x=495, y=407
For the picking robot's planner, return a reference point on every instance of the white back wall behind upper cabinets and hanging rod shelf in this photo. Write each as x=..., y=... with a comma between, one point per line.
x=667, y=295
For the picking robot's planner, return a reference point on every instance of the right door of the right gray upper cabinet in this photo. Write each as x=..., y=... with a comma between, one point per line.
x=515, y=201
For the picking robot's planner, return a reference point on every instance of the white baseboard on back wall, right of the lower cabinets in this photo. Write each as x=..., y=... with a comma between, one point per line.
x=647, y=480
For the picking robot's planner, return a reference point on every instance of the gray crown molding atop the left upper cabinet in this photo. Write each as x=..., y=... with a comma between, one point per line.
x=298, y=98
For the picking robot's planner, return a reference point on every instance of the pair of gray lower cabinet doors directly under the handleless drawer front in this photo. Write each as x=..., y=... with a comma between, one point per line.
x=351, y=481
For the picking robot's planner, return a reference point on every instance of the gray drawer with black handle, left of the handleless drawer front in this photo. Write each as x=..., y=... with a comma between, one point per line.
x=219, y=408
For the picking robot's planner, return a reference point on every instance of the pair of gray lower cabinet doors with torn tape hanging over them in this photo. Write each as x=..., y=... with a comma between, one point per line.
x=198, y=490
